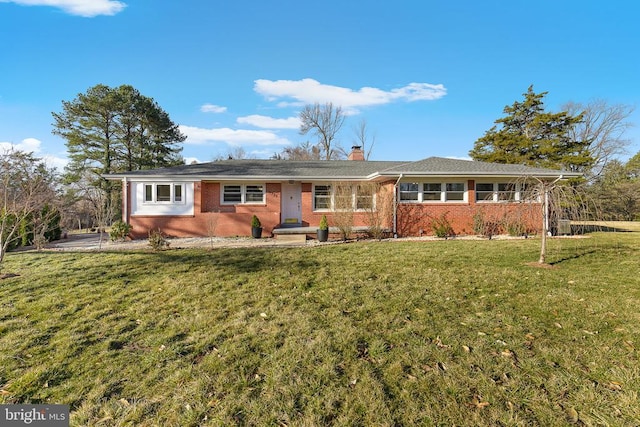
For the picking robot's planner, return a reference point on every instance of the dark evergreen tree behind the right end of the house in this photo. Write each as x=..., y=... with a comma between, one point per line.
x=531, y=136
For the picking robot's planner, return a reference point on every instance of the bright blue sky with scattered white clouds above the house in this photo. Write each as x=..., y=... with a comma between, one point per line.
x=428, y=77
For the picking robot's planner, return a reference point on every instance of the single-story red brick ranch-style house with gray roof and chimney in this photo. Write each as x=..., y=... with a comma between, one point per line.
x=406, y=198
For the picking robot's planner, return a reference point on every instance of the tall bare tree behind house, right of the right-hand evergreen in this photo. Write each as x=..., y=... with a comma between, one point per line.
x=604, y=126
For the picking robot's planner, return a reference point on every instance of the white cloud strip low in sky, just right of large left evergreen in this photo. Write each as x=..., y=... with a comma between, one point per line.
x=234, y=137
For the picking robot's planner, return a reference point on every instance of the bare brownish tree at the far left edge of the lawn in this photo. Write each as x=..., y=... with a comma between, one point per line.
x=27, y=195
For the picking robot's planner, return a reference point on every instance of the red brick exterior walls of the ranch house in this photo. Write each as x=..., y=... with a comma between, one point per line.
x=413, y=219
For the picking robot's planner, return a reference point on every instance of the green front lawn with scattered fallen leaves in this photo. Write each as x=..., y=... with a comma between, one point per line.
x=370, y=333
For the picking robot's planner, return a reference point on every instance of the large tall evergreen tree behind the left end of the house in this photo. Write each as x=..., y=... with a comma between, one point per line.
x=110, y=130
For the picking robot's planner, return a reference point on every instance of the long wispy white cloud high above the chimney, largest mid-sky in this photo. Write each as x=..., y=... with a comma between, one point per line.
x=308, y=91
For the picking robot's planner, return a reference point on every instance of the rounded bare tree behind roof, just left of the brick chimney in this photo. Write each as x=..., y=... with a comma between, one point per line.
x=324, y=121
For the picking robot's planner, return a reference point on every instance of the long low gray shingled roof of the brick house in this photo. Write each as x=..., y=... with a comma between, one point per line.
x=336, y=169
